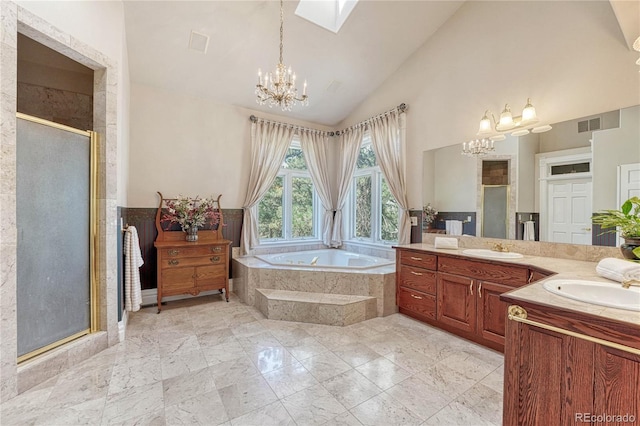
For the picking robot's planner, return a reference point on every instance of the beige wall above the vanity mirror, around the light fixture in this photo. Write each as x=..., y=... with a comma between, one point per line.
x=570, y=58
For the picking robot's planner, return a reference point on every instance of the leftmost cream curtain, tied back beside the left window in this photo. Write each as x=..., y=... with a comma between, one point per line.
x=269, y=145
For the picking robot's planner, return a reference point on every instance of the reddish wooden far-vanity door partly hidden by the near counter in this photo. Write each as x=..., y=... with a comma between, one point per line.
x=492, y=311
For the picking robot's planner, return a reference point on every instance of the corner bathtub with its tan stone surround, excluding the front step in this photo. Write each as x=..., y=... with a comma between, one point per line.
x=351, y=274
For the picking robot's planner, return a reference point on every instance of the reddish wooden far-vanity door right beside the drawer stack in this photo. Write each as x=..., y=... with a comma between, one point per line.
x=457, y=301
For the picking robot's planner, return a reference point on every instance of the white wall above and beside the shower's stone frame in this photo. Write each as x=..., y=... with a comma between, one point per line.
x=99, y=24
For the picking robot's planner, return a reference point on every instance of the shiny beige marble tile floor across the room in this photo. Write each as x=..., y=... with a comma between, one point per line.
x=204, y=361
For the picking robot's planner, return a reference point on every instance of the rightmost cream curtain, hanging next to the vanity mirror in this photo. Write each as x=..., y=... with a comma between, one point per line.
x=388, y=141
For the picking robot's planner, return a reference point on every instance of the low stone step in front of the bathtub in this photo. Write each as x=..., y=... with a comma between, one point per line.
x=316, y=308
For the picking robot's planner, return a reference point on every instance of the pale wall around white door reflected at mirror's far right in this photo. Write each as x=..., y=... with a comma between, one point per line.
x=612, y=148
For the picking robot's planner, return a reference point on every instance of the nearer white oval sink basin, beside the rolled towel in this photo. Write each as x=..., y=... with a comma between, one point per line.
x=599, y=293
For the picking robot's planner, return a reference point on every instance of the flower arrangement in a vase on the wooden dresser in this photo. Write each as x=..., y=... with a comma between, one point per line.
x=191, y=212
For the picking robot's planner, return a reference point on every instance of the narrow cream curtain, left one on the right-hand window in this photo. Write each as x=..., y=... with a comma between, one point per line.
x=349, y=146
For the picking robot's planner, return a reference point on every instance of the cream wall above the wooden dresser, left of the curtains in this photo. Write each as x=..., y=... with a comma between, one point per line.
x=189, y=146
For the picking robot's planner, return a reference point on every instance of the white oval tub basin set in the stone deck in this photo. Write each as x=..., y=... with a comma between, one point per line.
x=328, y=258
